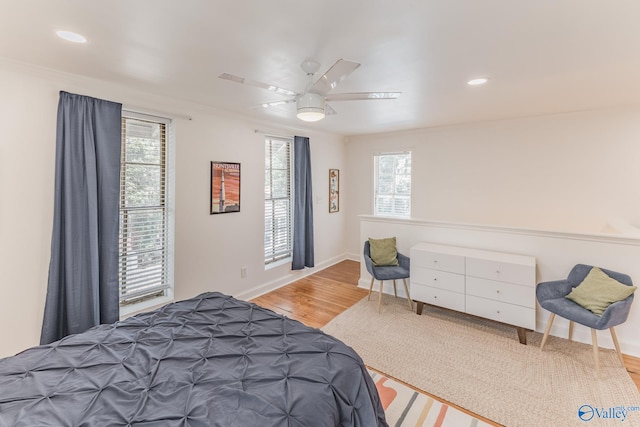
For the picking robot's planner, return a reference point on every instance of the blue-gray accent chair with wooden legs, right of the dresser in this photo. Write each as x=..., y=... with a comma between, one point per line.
x=551, y=296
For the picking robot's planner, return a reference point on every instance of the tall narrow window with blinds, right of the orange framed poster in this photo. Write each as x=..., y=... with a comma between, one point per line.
x=278, y=200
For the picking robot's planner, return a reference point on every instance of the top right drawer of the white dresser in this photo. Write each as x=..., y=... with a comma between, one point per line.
x=521, y=274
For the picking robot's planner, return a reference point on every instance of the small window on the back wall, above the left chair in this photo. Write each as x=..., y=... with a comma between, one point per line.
x=392, y=193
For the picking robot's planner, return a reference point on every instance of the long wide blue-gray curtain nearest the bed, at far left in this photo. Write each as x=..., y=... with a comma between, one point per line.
x=82, y=290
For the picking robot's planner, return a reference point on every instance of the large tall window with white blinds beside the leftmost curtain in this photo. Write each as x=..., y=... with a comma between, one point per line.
x=146, y=222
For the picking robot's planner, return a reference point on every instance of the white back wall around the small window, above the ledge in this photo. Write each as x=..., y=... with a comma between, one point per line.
x=567, y=172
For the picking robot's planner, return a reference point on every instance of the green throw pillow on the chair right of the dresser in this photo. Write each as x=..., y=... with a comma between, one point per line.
x=598, y=291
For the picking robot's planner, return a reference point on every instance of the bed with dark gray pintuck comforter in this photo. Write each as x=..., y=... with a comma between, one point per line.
x=211, y=360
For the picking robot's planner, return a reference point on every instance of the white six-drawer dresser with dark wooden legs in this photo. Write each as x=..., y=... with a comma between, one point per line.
x=492, y=285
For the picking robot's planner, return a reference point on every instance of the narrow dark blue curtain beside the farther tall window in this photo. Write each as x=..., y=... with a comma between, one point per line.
x=303, y=205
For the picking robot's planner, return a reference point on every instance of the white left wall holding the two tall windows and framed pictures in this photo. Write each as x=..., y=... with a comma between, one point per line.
x=210, y=249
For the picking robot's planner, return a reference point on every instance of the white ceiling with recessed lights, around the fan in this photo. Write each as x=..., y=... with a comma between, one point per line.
x=542, y=56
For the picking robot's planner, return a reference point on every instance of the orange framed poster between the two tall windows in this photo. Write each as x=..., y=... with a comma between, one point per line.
x=225, y=187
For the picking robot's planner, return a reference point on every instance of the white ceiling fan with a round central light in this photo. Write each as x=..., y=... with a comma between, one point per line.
x=312, y=102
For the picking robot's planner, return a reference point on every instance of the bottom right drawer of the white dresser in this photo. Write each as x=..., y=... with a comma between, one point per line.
x=501, y=312
